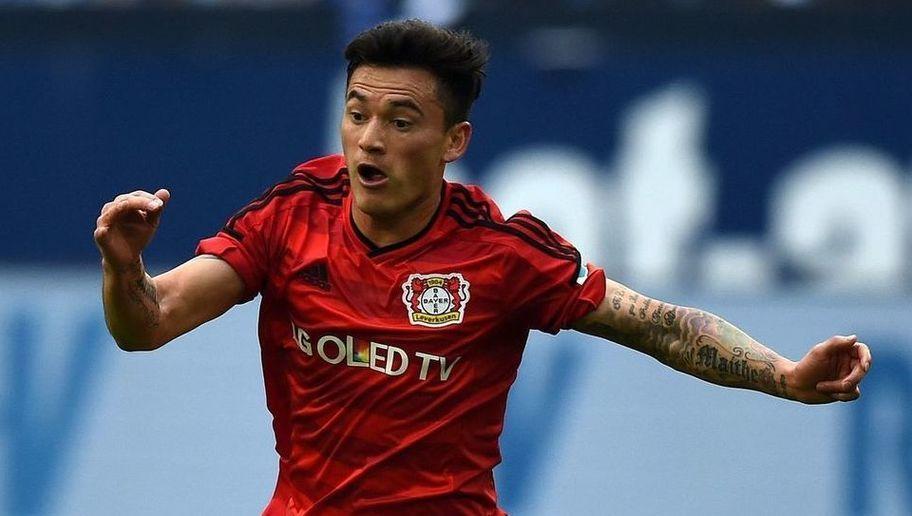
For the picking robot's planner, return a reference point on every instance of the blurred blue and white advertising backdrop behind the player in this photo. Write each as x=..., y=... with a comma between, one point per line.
x=751, y=157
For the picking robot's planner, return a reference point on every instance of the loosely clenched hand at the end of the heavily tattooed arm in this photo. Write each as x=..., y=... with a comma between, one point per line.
x=831, y=371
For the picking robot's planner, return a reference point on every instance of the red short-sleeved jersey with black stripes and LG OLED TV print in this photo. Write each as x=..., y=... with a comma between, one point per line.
x=387, y=368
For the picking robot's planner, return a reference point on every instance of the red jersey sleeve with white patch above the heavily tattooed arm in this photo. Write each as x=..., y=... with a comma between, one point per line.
x=556, y=288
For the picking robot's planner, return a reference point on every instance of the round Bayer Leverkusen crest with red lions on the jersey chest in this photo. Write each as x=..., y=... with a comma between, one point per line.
x=435, y=300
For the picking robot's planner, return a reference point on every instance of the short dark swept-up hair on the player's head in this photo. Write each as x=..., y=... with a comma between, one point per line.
x=457, y=59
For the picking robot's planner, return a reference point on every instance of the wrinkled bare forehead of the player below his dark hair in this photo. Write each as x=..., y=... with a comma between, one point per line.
x=380, y=81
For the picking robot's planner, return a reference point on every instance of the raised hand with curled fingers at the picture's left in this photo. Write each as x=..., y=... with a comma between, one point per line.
x=127, y=224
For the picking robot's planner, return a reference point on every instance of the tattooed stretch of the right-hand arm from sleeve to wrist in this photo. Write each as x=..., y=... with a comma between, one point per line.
x=693, y=341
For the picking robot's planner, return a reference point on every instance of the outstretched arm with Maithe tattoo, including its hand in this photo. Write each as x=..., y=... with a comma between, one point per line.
x=706, y=346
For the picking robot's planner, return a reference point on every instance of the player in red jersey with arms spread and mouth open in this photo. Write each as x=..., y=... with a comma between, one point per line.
x=396, y=305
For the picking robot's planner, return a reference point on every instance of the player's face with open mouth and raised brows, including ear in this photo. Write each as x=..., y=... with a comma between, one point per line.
x=395, y=140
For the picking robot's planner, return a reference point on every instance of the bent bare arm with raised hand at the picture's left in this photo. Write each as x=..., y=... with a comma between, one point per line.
x=144, y=313
